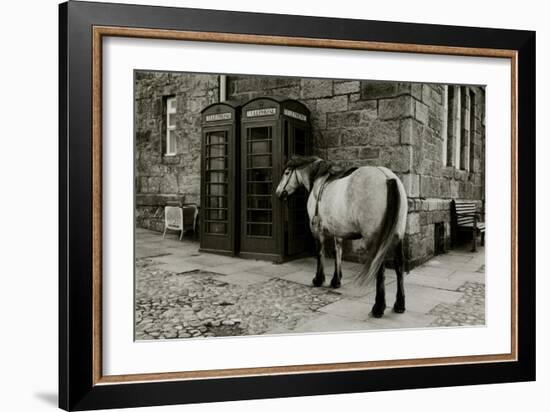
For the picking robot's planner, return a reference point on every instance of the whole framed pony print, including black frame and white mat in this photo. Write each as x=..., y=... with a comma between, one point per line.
x=256, y=206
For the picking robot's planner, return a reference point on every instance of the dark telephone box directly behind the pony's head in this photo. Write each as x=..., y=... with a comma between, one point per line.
x=272, y=129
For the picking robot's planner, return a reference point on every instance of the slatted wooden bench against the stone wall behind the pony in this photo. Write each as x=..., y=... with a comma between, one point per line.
x=466, y=218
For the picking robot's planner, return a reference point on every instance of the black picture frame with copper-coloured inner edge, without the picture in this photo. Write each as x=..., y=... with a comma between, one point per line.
x=82, y=385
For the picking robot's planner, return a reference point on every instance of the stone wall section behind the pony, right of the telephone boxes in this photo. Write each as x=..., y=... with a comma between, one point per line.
x=397, y=125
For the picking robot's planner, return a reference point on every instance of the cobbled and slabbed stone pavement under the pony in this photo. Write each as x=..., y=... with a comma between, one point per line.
x=181, y=293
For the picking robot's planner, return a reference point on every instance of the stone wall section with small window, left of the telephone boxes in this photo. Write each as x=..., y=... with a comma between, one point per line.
x=168, y=179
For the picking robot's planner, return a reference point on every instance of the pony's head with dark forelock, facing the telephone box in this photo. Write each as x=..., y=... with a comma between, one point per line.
x=299, y=171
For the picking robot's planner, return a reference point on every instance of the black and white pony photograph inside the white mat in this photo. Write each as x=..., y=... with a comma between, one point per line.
x=285, y=205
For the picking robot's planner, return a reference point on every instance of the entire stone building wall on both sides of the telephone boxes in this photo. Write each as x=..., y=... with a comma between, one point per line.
x=413, y=129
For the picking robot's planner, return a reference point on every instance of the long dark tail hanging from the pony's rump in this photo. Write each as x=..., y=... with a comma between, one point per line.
x=377, y=253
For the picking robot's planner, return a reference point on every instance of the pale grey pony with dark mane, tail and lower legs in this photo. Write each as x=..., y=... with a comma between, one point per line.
x=368, y=203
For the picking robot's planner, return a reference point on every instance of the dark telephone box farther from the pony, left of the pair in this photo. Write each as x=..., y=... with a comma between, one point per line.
x=219, y=178
